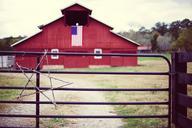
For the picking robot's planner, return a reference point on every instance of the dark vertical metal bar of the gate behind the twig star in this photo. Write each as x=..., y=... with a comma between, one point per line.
x=37, y=92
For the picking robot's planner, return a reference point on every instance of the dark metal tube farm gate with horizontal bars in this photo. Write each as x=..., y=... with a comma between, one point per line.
x=38, y=89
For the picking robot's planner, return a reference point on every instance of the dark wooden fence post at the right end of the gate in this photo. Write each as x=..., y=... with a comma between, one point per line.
x=177, y=67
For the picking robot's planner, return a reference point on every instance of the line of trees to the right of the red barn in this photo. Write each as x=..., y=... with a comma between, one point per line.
x=174, y=36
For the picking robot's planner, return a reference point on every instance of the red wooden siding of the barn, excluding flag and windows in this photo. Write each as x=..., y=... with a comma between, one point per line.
x=57, y=35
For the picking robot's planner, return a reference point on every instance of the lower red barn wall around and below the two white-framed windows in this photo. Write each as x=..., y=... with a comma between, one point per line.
x=79, y=61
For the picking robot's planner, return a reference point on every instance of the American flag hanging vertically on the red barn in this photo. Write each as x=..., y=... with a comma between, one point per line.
x=76, y=33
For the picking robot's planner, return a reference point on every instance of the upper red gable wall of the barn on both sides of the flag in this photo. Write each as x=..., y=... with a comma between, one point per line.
x=57, y=35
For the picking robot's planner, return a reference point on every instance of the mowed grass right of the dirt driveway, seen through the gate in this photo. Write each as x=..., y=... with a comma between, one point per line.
x=134, y=81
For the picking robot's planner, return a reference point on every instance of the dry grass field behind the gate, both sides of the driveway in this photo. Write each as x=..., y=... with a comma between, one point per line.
x=122, y=81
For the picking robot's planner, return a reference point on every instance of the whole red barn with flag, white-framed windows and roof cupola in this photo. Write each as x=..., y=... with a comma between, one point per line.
x=76, y=31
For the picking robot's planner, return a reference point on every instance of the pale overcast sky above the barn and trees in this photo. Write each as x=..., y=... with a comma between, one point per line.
x=21, y=17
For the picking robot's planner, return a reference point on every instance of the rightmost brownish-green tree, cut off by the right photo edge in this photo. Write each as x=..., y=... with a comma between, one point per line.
x=184, y=41
